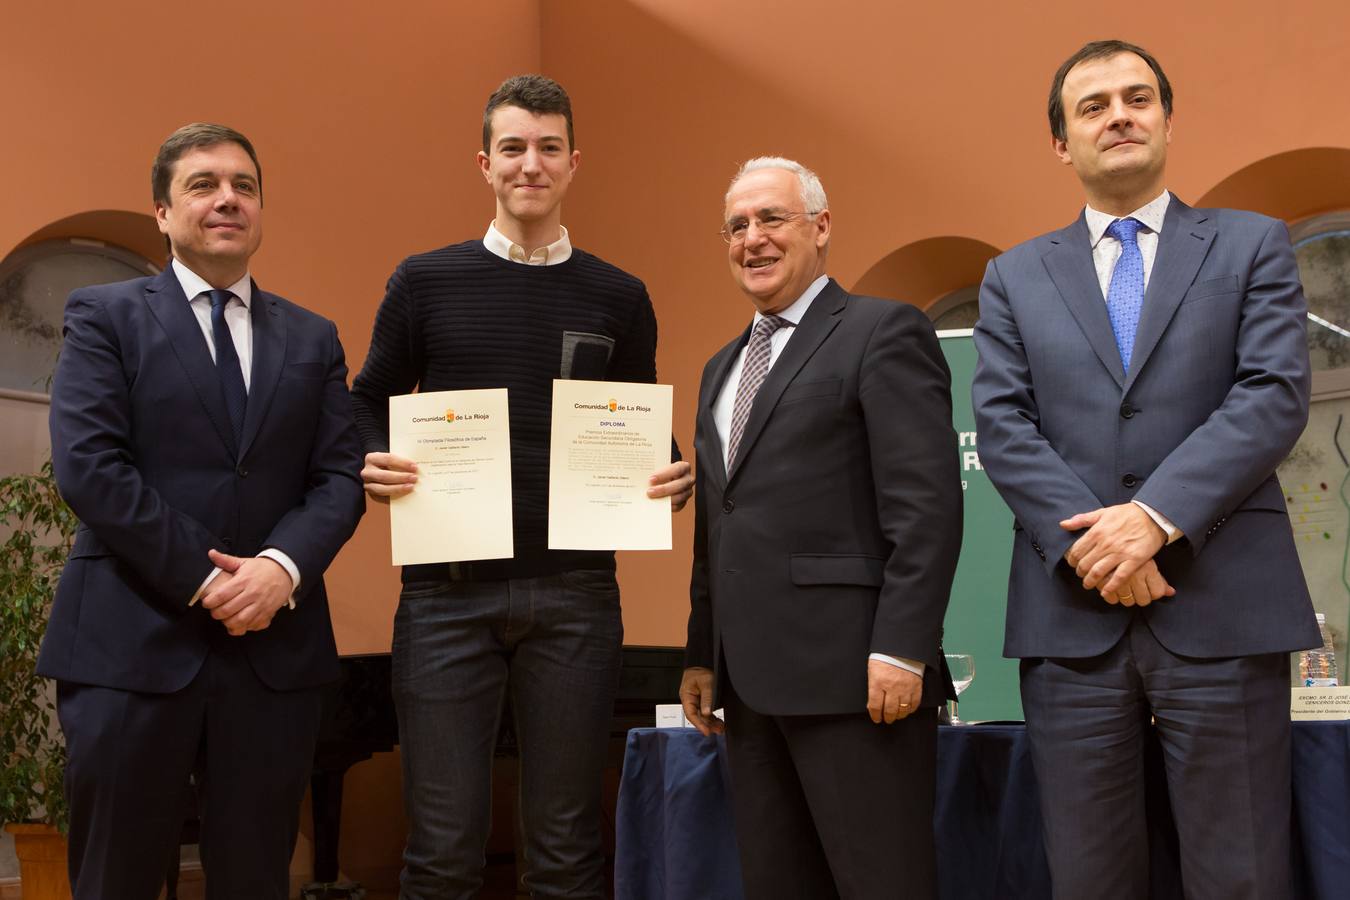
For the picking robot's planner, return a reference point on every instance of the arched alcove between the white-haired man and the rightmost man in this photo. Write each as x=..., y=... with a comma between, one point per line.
x=929, y=272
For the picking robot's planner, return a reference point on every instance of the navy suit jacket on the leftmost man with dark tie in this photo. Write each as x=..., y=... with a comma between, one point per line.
x=145, y=455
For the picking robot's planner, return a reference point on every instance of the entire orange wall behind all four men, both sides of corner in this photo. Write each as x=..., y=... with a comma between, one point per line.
x=925, y=122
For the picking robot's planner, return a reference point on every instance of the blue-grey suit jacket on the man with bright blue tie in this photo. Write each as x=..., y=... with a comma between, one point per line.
x=1216, y=399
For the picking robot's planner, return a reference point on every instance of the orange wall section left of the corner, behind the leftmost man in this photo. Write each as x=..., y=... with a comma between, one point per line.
x=365, y=119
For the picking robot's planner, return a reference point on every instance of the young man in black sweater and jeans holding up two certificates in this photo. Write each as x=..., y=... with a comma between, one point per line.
x=516, y=310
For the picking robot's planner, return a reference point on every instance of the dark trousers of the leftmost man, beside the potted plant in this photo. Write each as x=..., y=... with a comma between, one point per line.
x=129, y=760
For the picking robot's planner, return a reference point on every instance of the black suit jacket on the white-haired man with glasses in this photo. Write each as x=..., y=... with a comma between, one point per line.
x=838, y=531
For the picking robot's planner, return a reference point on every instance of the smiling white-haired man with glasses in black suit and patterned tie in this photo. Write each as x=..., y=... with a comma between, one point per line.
x=827, y=535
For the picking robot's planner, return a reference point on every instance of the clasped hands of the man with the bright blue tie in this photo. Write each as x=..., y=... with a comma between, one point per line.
x=1114, y=557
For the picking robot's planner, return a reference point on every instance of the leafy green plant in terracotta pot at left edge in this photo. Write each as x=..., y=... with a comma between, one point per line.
x=37, y=528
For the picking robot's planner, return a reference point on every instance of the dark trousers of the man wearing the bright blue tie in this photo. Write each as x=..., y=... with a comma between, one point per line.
x=1224, y=727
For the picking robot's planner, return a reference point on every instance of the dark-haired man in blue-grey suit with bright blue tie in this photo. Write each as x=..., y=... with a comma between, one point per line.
x=1141, y=376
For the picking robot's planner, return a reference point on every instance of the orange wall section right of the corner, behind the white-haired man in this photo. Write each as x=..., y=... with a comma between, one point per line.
x=924, y=122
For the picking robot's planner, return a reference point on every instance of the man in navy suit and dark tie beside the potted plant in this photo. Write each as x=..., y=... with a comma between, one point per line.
x=203, y=434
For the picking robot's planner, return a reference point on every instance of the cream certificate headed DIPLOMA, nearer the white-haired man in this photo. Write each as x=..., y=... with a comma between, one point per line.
x=608, y=439
